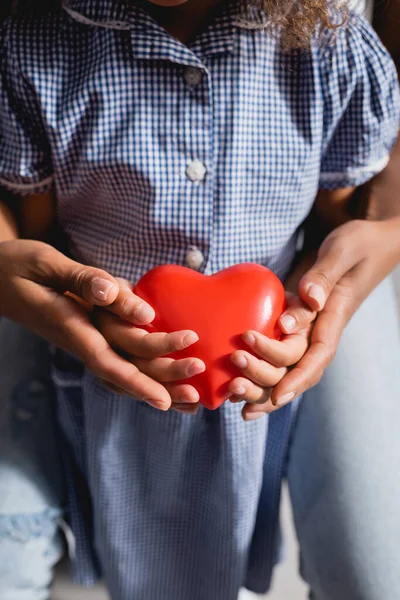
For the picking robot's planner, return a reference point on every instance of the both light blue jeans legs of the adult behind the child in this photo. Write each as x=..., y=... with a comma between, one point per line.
x=343, y=466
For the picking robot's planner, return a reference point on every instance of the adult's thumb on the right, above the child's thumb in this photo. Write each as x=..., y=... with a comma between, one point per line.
x=332, y=264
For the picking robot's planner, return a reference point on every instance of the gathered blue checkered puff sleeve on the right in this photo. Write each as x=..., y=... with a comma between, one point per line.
x=361, y=106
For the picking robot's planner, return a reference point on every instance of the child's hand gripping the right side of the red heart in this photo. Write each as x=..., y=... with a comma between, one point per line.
x=261, y=375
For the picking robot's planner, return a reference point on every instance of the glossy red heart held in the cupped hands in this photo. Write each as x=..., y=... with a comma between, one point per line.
x=219, y=308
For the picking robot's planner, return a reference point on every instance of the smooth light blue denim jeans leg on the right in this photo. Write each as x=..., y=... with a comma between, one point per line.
x=345, y=459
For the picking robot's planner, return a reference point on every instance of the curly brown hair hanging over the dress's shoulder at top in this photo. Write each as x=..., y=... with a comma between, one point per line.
x=295, y=21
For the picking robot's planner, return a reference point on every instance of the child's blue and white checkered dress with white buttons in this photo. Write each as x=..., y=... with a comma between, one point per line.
x=154, y=148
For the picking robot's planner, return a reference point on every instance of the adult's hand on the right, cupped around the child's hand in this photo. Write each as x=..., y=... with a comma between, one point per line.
x=351, y=262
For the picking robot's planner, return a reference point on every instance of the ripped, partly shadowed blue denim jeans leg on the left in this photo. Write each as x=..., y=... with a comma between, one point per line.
x=31, y=485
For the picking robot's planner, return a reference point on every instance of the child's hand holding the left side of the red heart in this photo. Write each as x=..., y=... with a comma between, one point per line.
x=147, y=352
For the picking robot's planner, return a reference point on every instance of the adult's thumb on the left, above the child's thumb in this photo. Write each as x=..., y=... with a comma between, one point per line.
x=95, y=286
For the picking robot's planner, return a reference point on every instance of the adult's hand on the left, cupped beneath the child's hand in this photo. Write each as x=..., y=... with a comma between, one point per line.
x=34, y=278
